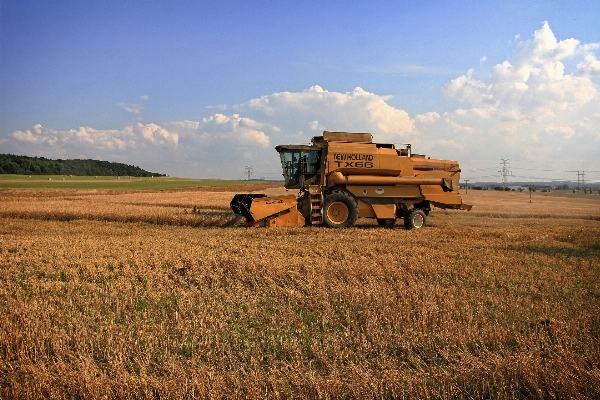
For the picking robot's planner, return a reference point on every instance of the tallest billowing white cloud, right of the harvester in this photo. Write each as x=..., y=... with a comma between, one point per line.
x=531, y=103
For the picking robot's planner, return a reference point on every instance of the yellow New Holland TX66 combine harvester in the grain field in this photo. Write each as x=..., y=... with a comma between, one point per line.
x=343, y=176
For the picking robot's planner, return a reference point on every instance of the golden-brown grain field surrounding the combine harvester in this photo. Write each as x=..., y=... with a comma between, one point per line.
x=165, y=295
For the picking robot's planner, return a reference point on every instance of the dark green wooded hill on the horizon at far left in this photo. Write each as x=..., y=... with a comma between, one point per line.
x=23, y=165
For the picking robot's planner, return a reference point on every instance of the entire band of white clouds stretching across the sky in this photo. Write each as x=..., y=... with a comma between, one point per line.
x=542, y=104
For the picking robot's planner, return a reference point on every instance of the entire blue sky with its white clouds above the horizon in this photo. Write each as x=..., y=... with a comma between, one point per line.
x=203, y=88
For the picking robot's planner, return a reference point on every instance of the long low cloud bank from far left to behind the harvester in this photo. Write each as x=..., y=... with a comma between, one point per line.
x=248, y=133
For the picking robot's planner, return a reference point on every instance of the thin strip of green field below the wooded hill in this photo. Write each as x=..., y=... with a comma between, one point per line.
x=109, y=182
